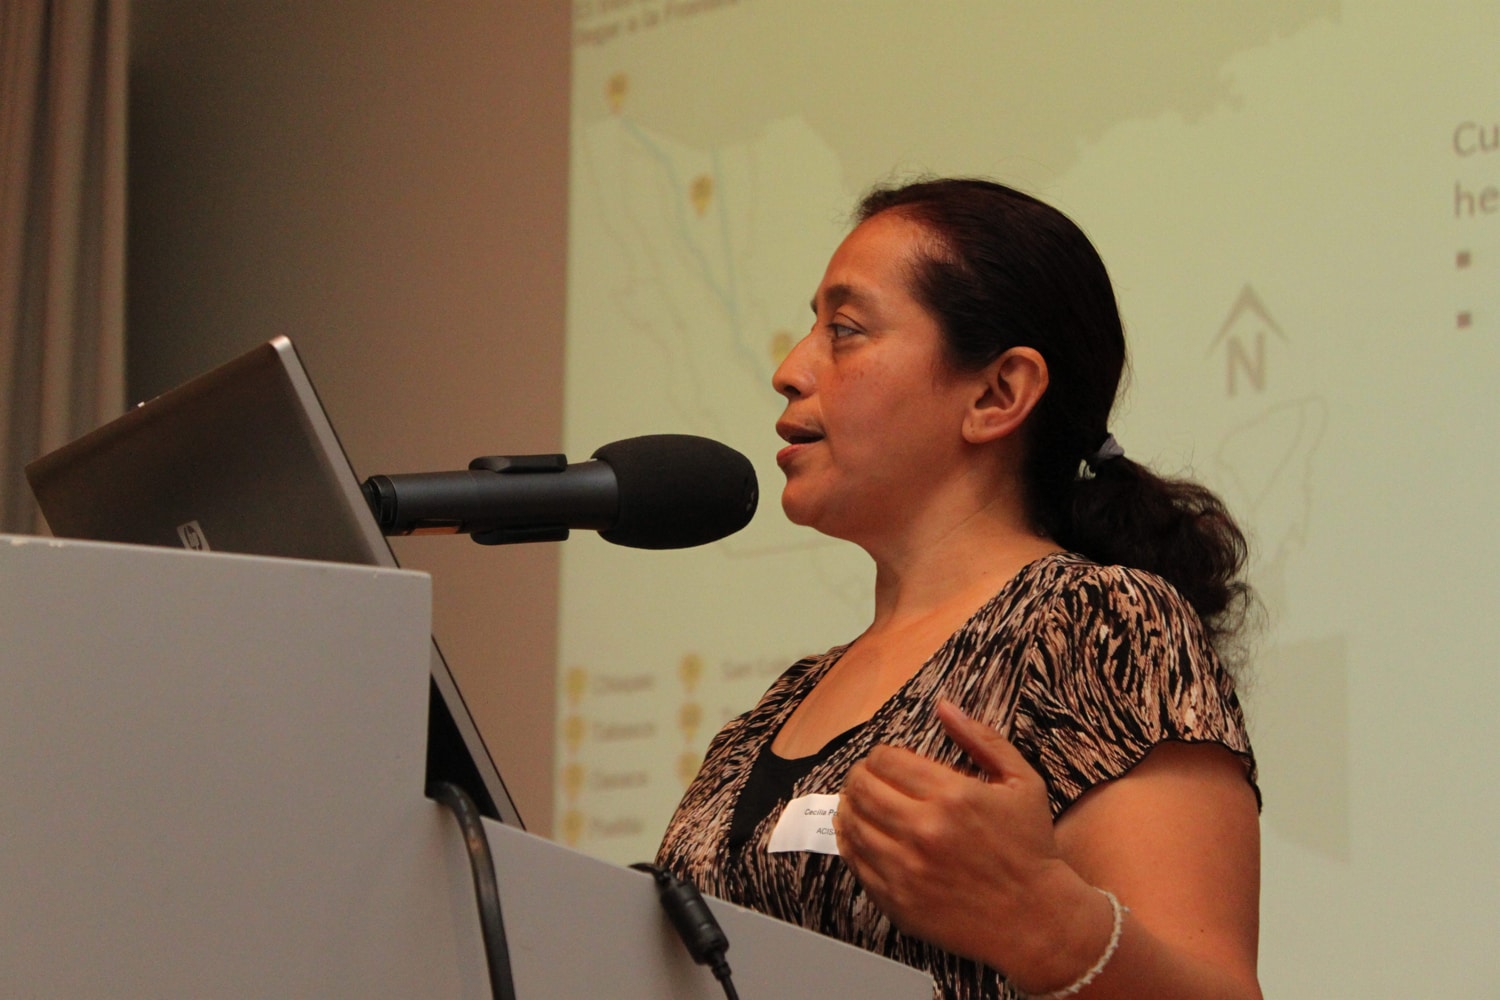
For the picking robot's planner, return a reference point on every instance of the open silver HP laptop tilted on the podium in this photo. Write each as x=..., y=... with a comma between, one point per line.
x=244, y=460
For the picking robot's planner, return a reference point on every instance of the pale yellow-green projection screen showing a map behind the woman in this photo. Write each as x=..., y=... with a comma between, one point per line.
x=1300, y=205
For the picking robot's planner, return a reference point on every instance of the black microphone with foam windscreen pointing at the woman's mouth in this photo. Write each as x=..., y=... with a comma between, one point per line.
x=653, y=493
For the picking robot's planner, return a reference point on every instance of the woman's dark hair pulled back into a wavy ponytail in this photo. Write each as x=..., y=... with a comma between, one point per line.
x=1006, y=271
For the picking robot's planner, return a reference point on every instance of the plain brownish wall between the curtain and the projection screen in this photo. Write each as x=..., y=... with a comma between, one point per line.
x=386, y=184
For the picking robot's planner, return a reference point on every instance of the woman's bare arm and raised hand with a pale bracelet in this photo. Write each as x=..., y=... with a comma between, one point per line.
x=979, y=869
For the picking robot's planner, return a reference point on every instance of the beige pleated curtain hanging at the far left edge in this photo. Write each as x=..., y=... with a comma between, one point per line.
x=62, y=232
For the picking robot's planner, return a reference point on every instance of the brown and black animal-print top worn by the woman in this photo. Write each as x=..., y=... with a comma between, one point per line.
x=1084, y=668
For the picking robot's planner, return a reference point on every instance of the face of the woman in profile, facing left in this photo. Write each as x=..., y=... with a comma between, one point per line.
x=874, y=412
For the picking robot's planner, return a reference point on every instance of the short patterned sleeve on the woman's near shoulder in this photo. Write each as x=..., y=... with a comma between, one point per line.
x=1121, y=665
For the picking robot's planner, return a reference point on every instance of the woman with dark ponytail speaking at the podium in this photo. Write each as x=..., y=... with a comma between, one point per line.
x=1030, y=776
